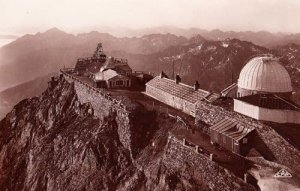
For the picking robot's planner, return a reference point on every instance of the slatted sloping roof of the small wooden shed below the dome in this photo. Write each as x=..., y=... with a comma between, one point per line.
x=231, y=128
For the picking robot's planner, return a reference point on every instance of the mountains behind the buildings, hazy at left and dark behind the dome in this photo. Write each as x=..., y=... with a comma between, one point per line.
x=214, y=63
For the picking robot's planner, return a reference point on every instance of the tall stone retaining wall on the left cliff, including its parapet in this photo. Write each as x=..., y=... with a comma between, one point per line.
x=104, y=105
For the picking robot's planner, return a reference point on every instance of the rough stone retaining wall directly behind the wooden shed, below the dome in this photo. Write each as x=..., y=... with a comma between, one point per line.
x=283, y=151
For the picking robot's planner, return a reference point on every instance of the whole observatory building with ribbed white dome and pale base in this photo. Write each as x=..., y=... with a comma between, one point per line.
x=263, y=91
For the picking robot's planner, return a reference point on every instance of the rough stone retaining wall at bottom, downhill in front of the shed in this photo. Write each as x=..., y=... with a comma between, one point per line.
x=178, y=156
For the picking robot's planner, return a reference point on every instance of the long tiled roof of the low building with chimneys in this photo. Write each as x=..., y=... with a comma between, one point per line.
x=181, y=90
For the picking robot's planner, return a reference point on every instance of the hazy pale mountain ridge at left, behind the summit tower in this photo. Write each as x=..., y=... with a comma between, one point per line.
x=34, y=55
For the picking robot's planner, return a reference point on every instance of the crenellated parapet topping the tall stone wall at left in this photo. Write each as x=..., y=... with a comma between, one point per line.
x=97, y=90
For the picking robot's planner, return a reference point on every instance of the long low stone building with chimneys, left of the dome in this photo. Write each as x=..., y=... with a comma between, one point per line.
x=176, y=94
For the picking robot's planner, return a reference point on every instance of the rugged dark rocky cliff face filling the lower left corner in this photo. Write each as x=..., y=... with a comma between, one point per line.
x=53, y=143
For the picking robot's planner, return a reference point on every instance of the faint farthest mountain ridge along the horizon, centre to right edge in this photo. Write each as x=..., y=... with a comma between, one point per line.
x=262, y=38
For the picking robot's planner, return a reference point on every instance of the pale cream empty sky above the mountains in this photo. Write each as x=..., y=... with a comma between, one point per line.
x=29, y=16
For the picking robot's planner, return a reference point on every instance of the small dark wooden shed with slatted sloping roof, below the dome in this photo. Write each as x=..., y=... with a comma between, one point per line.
x=232, y=135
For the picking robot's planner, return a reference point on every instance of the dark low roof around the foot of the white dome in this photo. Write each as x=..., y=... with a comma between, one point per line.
x=270, y=101
